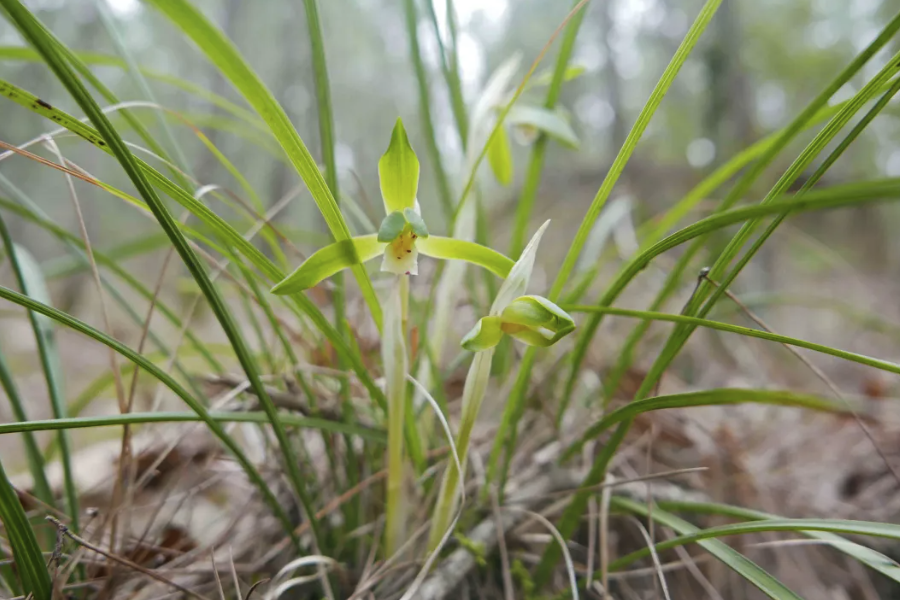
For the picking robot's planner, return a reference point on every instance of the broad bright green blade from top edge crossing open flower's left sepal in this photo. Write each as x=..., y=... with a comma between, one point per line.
x=223, y=54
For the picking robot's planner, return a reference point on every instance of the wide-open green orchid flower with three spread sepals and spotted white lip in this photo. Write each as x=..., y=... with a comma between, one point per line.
x=402, y=235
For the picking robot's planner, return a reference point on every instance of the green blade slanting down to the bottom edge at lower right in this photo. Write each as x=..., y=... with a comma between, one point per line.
x=736, y=561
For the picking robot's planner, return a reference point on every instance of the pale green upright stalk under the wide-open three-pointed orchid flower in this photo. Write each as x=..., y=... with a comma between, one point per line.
x=393, y=353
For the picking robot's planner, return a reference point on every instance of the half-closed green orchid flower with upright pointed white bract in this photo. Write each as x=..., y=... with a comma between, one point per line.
x=533, y=320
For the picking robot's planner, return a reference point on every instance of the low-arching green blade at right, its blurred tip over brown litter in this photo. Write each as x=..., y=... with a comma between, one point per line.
x=717, y=397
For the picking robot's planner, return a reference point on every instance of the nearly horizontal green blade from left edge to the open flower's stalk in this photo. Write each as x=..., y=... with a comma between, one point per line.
x=146, y=418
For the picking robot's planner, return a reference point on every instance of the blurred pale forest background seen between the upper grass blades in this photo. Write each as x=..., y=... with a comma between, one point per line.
x=757, y=65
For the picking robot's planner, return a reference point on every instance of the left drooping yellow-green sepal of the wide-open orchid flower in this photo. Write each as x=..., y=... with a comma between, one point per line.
x=329, y=260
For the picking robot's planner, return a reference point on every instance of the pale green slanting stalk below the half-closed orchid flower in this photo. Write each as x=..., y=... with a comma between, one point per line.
x=473, y=395
